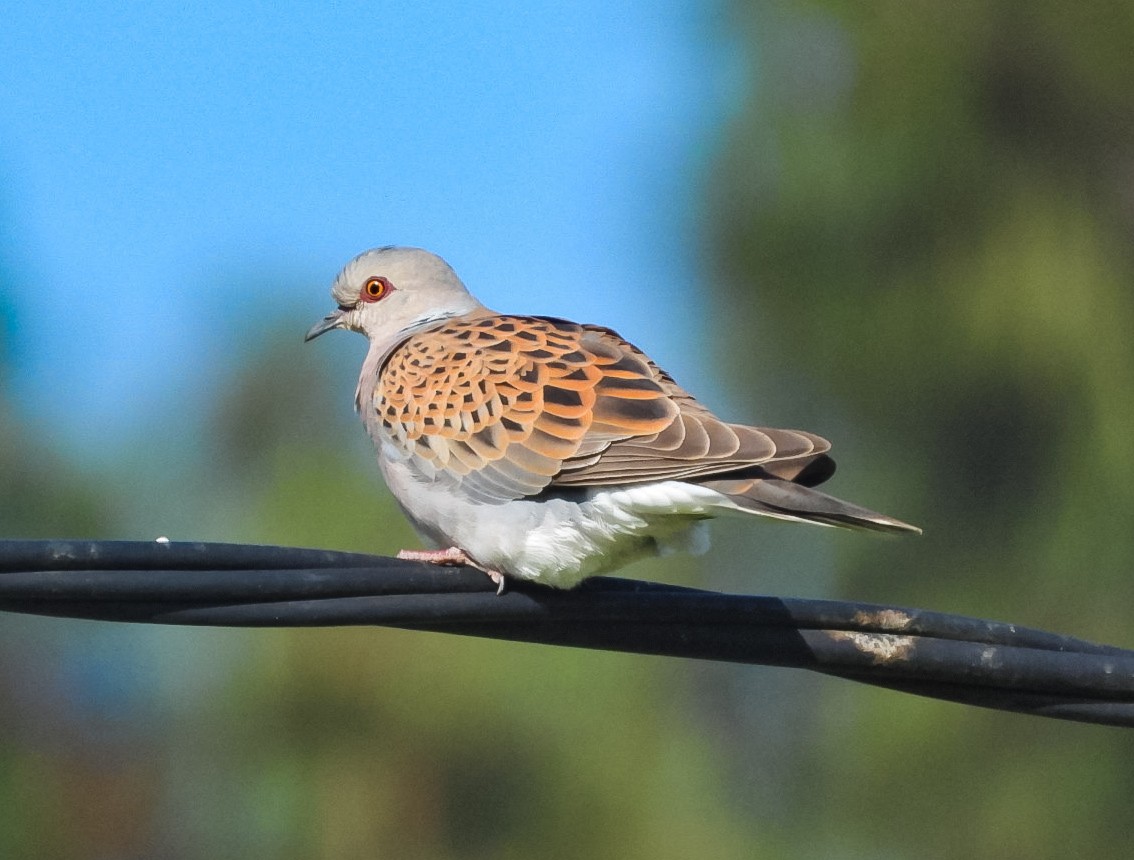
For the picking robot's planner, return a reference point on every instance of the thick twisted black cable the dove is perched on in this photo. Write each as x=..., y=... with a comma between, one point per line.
x=952, y=657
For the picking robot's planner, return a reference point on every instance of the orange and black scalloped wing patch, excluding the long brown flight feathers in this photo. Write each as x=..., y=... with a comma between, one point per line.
x=500, y=404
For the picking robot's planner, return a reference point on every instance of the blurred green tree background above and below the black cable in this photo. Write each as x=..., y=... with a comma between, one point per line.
x=917, y=238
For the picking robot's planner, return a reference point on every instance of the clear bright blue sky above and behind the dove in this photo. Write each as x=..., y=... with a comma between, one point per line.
x=156, y=157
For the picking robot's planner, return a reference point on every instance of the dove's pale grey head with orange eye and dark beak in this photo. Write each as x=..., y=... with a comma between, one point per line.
x=388, y=293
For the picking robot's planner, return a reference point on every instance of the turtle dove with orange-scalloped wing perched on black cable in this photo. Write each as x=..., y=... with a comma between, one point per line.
x=543, y=450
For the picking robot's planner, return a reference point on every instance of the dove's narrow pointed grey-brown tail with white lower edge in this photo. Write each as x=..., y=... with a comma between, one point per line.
x=786, y=501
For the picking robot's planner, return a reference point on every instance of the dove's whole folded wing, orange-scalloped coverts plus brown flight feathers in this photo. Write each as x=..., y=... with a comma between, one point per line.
x=507, y=407
